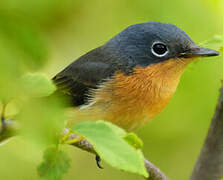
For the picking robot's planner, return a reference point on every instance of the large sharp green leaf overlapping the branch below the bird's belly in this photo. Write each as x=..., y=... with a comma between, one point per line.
x=111, y=147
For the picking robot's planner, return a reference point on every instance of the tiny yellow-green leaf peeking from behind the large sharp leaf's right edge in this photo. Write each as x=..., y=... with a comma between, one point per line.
x=134, y=140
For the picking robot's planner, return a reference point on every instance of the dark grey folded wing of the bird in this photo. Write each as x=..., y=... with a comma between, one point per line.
x=84, y=74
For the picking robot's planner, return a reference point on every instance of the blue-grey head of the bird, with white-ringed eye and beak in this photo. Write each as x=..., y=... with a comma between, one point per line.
x=153, y=42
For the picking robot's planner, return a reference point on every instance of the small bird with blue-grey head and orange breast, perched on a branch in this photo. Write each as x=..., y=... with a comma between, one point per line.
x=132, y=77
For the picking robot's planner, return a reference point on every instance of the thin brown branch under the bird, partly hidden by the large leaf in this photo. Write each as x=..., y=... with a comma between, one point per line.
x=155, y=173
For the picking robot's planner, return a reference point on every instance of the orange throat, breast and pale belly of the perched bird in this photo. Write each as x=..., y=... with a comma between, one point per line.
x=131, y=100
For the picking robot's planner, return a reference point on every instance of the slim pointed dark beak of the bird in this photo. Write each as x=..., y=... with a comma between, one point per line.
x=199, y=52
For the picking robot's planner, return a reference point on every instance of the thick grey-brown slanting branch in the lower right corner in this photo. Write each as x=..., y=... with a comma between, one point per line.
x=209, y=165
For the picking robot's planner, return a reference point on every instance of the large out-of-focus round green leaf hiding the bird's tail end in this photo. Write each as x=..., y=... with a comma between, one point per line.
x=47, y=115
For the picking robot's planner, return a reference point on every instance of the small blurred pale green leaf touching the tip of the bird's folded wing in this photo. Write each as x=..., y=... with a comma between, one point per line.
x=38, y=85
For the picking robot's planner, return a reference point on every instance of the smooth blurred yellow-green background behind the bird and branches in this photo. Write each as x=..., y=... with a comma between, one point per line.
x=47, y=35
